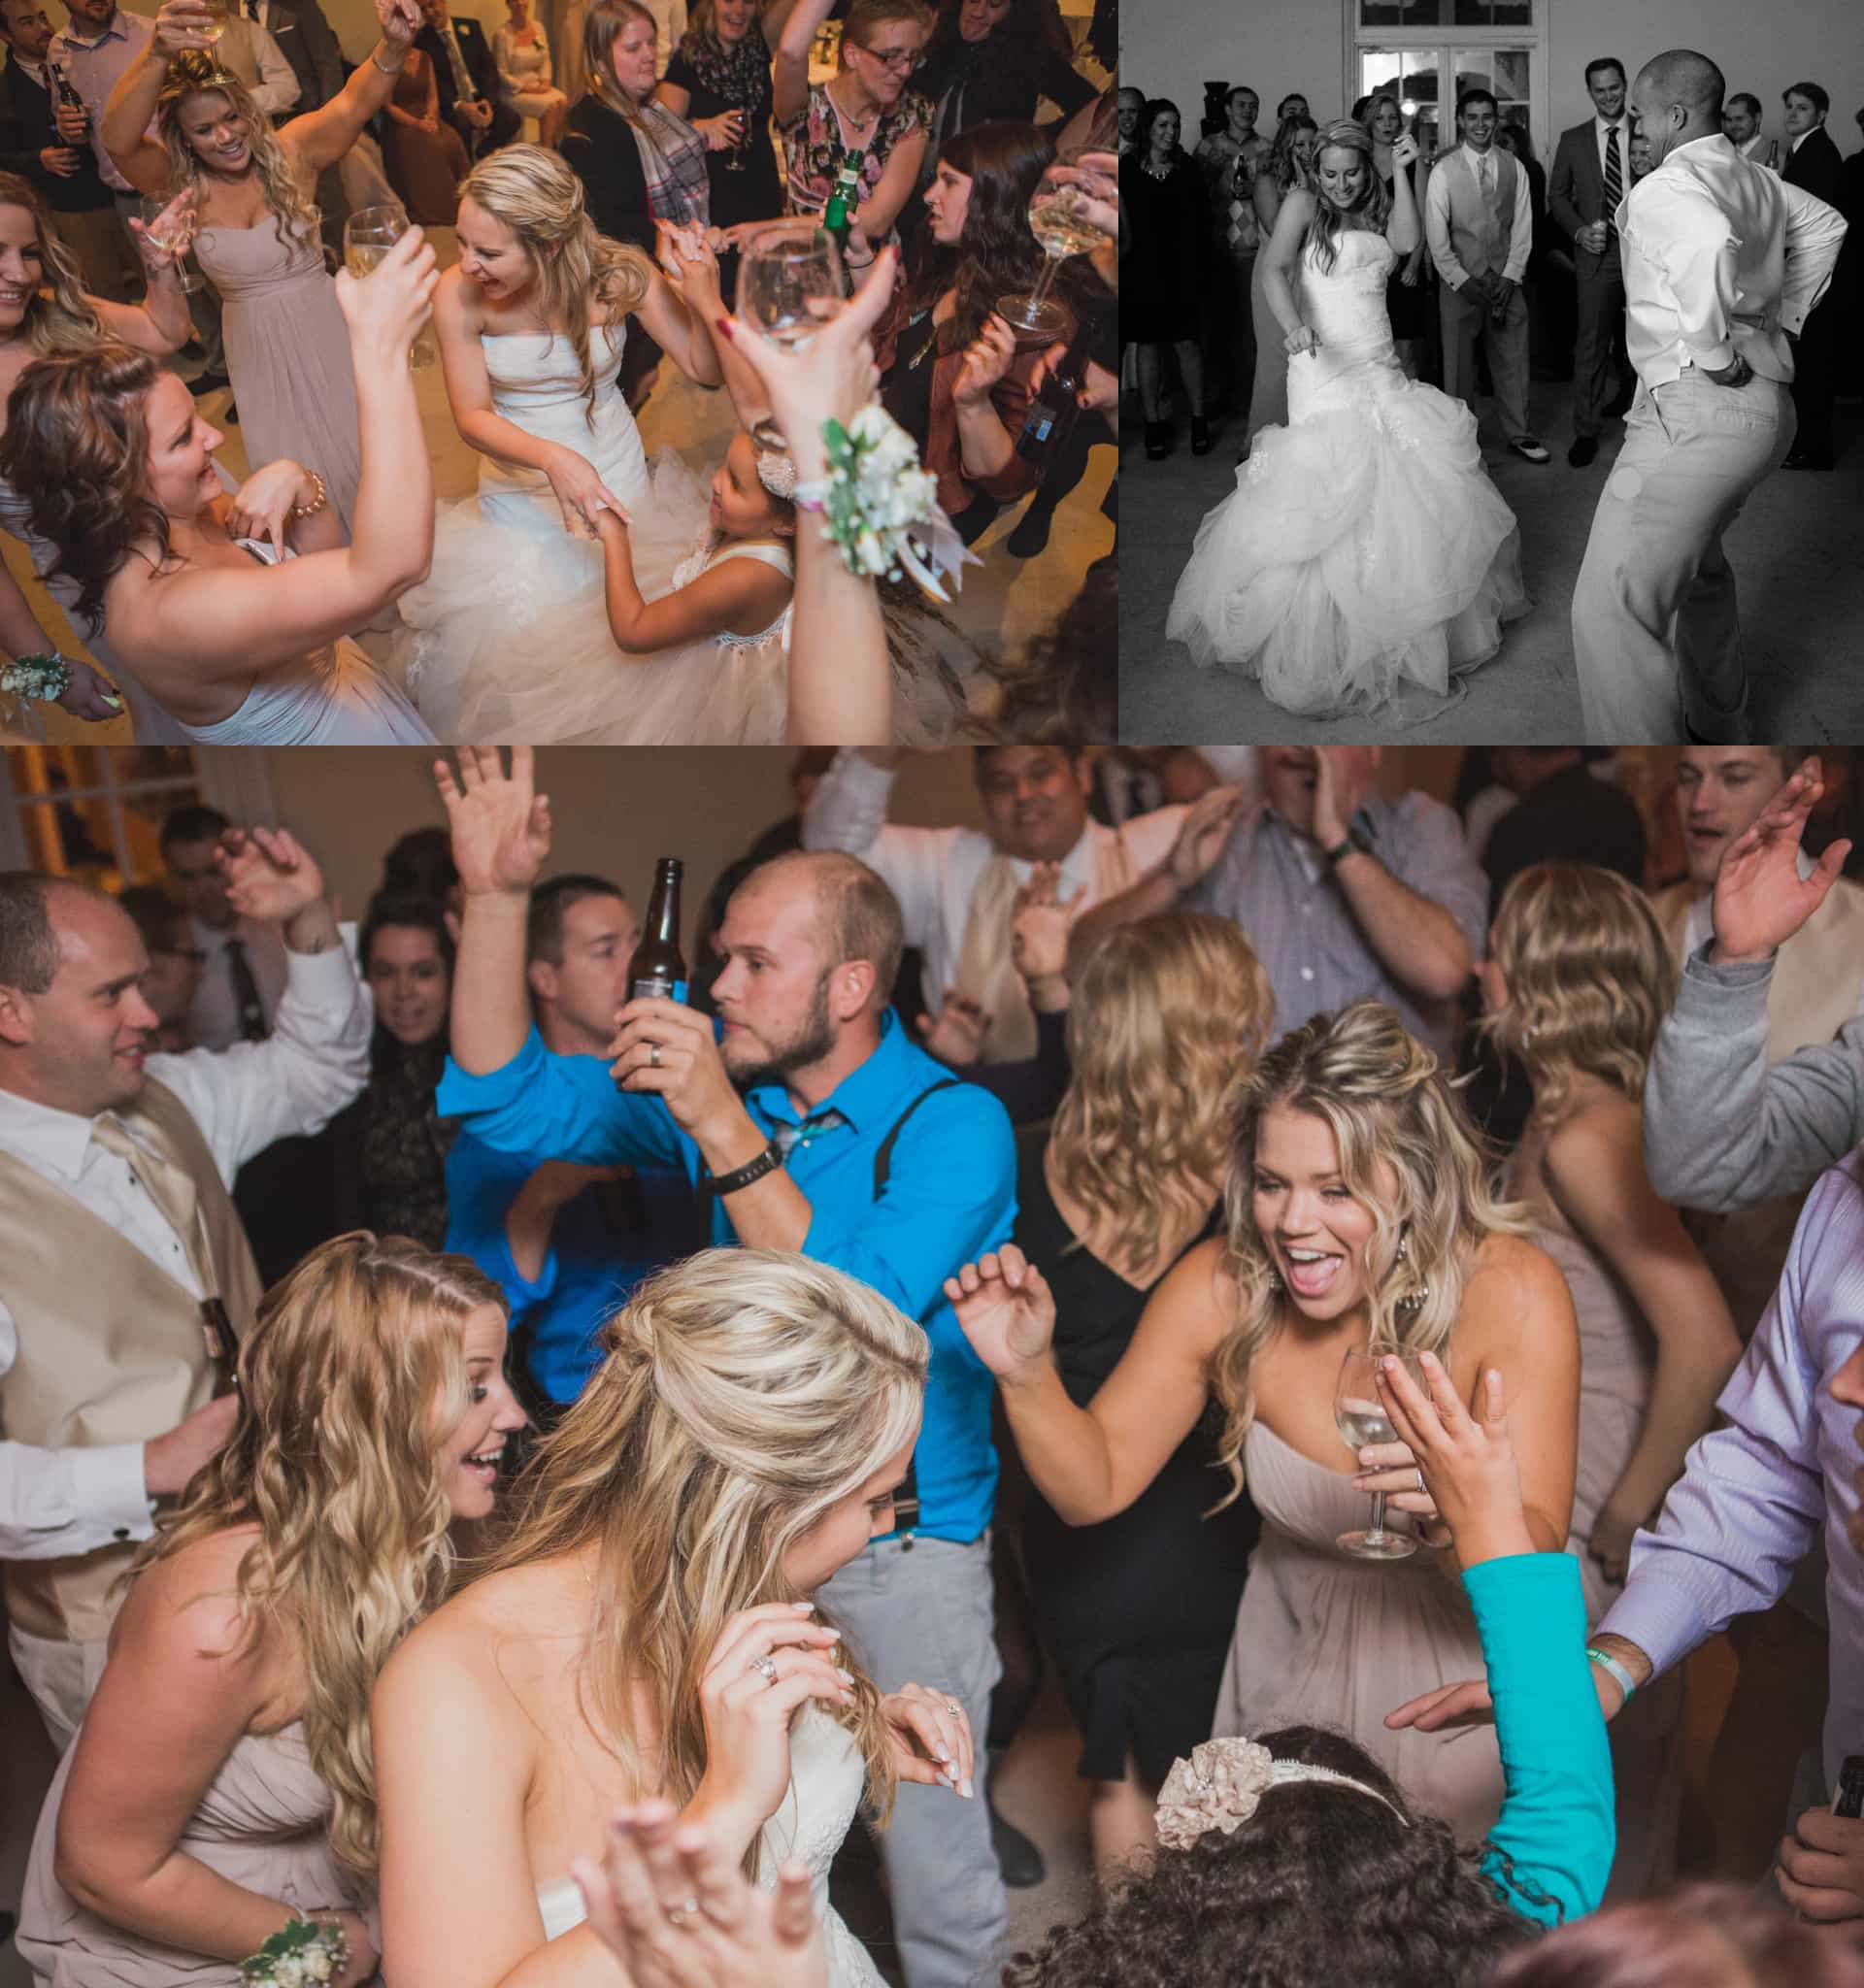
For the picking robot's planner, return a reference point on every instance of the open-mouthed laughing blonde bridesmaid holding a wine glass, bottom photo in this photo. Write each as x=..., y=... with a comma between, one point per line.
x=1356, y=1208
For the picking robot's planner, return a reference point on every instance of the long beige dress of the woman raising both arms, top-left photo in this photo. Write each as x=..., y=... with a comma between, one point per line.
x=287, y=355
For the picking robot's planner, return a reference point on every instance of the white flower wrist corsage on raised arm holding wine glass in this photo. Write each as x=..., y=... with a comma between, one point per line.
x=881, y=508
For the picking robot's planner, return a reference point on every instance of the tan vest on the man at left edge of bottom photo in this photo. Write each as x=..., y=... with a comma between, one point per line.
x=112, y=1349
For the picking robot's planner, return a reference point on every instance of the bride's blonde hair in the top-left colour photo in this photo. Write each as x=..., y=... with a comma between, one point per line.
x=540, y=198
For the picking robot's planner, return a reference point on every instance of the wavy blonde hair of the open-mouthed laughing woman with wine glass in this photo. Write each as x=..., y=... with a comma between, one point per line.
x=1388, y=1104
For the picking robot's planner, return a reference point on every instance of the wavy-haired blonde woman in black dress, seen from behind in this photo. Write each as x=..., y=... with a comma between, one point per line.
x=1164, y=1031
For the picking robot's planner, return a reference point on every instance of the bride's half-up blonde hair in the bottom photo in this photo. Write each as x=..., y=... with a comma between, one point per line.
x=744, y=1395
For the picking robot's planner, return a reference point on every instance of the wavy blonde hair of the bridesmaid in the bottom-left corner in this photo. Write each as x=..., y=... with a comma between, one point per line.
x=339, y=1462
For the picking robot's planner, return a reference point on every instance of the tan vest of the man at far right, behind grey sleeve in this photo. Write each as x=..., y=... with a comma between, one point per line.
x=1813, y=995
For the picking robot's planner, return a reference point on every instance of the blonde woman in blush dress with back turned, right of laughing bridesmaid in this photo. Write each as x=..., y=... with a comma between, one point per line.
x=1577, y=983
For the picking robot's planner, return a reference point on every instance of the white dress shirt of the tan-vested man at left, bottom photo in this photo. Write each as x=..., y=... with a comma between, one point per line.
x=69, y=1502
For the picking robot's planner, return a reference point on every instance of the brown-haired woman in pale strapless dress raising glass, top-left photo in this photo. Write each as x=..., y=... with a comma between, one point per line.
x=233, y=611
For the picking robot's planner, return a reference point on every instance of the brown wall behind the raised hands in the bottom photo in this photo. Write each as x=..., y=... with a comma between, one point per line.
x=613, y=812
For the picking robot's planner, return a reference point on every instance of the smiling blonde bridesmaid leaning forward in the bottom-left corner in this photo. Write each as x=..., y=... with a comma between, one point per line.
x=222, y=1784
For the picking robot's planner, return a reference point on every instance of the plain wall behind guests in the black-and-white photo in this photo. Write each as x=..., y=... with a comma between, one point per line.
x=1171, y=49
